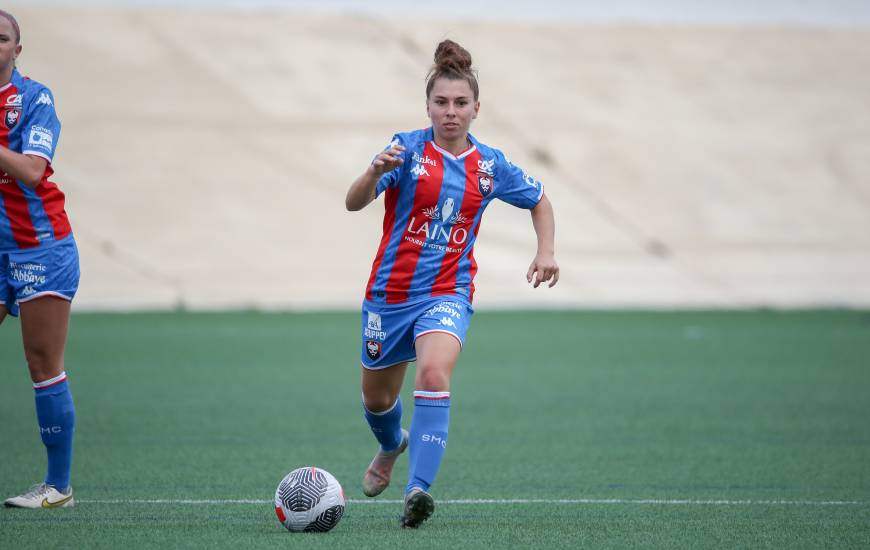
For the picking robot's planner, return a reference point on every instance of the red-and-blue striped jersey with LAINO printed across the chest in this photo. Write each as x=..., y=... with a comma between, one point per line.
x=433, y=207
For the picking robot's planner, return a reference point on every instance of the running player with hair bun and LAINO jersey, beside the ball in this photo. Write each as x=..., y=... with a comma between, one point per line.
x=417, y=306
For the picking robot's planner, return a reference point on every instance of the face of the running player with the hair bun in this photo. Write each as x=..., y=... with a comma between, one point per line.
x=451, y=107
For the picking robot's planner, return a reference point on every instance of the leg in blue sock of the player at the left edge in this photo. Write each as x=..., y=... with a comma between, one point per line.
x=44, y=327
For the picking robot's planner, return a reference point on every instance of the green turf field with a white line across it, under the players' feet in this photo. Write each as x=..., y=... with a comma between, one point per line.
x=582, y=429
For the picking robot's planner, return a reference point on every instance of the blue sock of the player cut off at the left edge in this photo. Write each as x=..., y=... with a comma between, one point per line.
x=57, y=418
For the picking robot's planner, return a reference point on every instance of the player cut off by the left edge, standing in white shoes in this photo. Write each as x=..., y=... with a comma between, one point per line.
x=39, y=263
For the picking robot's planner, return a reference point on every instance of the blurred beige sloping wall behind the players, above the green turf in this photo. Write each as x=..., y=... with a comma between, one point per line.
x=711, y=154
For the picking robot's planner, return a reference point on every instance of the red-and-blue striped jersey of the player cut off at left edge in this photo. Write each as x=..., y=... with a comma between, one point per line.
x=29, y=218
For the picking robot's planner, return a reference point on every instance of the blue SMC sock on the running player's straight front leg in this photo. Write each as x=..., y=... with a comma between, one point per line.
x=428, y=437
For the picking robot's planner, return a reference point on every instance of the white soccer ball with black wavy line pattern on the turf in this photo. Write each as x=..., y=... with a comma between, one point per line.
x=309, y=499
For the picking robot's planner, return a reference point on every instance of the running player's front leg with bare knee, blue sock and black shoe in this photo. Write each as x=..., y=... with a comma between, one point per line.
x=437, y=353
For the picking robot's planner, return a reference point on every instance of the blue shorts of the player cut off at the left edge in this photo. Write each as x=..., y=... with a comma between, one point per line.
x=29, y=274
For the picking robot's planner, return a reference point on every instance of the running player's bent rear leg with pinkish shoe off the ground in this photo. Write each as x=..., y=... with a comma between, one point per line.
x=383, y=412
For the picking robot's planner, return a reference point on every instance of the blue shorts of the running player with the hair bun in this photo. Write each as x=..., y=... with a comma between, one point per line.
x=390, y=330
